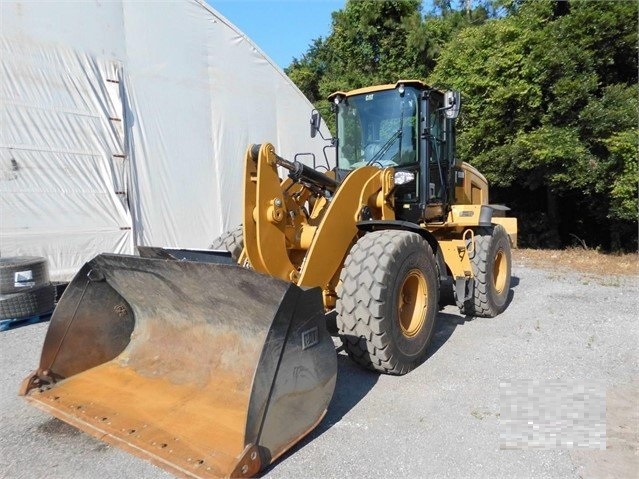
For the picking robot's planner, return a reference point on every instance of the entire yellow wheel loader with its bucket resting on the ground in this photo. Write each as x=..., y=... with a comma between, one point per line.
x=214, y=363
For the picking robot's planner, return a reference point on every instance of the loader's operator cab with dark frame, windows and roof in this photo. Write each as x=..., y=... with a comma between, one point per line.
x=408, y=126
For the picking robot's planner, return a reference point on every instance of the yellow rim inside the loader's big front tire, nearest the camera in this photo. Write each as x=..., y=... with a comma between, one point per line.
x=412, y=302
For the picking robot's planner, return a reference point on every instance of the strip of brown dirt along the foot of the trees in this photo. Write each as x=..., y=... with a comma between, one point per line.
x=579, y=260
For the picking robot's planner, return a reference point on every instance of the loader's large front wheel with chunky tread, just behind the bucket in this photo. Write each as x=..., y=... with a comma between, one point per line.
x=387, y=301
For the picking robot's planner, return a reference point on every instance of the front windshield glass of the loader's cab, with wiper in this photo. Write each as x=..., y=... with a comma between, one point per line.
x=377, y=128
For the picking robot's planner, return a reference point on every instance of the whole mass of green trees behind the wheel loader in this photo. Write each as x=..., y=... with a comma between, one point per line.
x=550, y=99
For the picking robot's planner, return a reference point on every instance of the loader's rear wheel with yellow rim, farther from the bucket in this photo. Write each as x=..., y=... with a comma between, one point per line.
x=491, y=262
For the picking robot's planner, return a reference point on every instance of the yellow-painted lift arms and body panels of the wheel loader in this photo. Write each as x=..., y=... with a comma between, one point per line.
x=293, y=232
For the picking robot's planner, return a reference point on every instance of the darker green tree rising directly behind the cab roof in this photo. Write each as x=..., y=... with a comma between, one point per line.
x=373, y=42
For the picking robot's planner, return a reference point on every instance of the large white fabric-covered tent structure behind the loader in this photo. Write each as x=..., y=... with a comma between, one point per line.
x=125, y=123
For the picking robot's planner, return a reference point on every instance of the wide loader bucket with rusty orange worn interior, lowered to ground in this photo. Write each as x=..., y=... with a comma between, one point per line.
x=206, y=370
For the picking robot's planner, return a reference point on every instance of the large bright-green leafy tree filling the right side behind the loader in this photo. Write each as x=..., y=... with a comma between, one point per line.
x=551, y=112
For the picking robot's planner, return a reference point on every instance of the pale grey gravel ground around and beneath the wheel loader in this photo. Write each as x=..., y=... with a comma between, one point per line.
x=442, y=420
